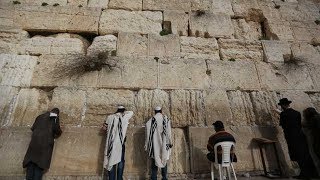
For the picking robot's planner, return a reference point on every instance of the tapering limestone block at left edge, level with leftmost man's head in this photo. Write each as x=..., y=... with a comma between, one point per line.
x=8, y=98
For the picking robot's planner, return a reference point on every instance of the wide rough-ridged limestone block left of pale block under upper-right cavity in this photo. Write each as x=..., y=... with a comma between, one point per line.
x=240, y=50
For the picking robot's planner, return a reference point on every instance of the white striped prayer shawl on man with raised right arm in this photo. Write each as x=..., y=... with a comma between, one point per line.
x=116, y=152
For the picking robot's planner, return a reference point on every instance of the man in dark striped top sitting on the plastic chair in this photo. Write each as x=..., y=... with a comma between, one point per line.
x=220, y=136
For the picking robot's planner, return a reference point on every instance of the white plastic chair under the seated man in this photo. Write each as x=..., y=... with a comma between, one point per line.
x=226, y=161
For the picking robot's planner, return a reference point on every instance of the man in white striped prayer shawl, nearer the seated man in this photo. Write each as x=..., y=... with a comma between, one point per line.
x=158, y=143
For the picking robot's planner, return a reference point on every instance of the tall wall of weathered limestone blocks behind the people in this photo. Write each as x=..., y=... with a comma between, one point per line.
x=228, y=60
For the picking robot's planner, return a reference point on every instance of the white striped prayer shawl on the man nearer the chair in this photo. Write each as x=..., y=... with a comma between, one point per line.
x=160, y=141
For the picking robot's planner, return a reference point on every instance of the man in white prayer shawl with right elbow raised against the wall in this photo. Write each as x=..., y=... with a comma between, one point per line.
x=116, y=126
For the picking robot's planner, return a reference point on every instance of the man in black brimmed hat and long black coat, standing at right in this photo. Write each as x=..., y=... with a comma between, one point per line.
x=290, y=121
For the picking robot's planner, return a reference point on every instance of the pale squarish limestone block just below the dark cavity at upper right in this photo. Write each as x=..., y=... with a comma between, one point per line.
x=276, y=51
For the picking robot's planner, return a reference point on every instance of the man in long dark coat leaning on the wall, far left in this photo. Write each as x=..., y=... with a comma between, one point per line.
x=38, y=157
